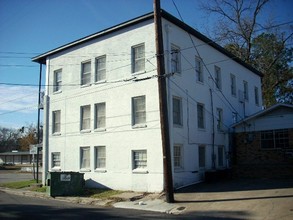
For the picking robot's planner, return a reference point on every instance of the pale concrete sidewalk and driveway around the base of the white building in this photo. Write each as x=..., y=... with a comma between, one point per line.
x=237, y=199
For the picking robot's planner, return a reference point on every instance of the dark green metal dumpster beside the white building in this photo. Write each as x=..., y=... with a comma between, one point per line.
x=65, y=183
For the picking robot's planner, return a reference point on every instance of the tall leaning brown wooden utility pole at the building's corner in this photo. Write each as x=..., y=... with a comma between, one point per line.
x=168, y=179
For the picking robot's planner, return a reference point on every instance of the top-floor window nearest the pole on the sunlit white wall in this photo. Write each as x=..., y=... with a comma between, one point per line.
x=138, y=59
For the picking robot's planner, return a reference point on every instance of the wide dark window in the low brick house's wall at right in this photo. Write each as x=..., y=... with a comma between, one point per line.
x=275, y=139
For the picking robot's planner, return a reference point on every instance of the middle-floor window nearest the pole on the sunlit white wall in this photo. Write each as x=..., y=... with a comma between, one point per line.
x=138, y=110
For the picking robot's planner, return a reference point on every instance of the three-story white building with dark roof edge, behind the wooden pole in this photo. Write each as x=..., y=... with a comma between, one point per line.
x=102, y=105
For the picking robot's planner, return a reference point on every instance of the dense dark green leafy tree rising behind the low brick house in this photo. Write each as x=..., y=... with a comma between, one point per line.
x=270, y=56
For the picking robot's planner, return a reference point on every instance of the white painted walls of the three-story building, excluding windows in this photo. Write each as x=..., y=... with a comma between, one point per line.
x=120, y=138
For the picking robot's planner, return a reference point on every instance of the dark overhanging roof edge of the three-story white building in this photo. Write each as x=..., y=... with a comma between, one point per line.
x=42, y=58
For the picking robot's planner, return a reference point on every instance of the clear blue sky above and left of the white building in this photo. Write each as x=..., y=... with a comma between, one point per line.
x=32, y=27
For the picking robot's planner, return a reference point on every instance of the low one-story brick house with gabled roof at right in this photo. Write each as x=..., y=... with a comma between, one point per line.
x=264, y=143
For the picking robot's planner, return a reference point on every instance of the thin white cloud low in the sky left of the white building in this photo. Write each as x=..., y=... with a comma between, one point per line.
x=22, y=99
